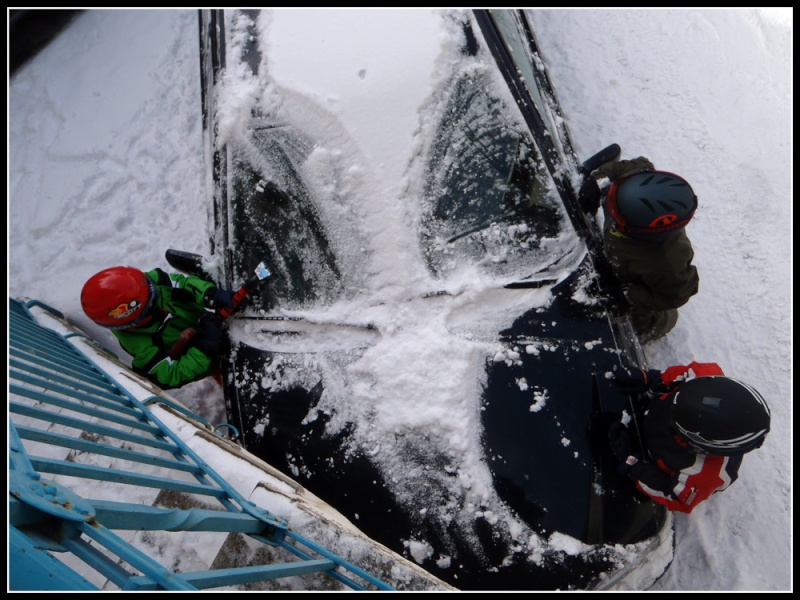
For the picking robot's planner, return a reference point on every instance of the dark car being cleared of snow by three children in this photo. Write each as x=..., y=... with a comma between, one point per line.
x=439, y=373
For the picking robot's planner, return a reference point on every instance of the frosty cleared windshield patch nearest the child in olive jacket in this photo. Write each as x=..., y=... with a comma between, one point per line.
x=489, y=201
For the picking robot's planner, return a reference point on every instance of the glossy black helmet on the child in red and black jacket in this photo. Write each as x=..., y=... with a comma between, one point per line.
x=720, y=415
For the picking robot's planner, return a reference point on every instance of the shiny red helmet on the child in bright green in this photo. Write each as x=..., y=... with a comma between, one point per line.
x=119, y=297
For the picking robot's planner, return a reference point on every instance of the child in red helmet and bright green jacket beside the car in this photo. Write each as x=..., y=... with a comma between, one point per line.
x=166, y=322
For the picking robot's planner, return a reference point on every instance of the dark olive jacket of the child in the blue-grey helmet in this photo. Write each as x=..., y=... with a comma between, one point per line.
x=658, y=276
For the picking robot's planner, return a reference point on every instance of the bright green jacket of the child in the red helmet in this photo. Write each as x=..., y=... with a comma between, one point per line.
x=179, y=304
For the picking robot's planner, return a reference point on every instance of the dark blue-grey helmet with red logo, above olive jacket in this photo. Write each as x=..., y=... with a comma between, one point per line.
x=651, y=203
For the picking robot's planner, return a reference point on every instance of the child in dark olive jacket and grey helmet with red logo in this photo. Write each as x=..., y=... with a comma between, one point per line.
x=646, y=213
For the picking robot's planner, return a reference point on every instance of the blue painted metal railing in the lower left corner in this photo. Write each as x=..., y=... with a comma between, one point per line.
x=71, y=420
